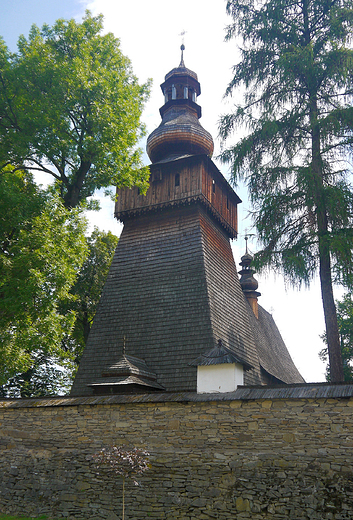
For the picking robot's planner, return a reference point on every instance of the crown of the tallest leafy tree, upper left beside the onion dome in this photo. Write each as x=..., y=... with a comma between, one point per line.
x=70, y=106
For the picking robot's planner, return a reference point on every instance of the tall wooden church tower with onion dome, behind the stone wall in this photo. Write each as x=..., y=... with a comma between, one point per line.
x=173, y=293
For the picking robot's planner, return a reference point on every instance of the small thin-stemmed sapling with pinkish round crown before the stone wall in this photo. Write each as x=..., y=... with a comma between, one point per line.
x=119, y=460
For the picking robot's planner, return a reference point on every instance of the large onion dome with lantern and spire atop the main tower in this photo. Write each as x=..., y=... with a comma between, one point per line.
x=180, y=132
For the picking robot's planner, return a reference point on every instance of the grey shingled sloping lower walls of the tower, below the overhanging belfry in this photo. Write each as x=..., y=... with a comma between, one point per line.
x=172, y=291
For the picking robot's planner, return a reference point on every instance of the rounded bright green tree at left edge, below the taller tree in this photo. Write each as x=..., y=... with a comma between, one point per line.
x=42, y=246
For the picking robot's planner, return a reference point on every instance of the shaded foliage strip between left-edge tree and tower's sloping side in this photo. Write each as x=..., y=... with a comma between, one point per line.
x=51, y=372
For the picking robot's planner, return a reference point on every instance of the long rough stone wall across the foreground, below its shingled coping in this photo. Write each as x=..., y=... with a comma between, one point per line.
x=210, y=457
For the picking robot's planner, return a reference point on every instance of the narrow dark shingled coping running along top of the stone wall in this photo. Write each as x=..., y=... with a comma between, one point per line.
x=243, y=393
